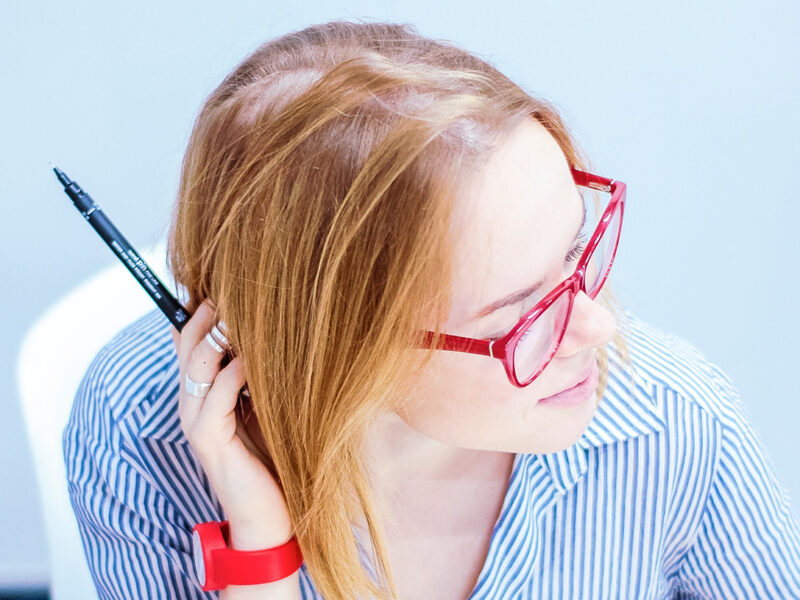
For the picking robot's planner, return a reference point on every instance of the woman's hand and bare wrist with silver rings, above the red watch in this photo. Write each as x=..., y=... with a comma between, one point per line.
x=253, y=501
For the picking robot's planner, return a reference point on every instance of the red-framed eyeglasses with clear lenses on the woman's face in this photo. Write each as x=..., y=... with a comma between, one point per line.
x=529, y=347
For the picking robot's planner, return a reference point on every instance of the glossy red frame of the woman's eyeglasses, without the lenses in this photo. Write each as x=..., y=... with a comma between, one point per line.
x=503, y=348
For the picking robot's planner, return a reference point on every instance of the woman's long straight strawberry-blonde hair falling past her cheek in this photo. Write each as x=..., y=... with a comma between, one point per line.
x=313, y=208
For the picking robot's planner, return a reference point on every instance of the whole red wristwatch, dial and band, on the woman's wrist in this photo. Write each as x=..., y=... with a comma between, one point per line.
x=217, y=566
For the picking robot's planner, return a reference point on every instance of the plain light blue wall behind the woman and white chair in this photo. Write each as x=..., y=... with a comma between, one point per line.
x=693, y=104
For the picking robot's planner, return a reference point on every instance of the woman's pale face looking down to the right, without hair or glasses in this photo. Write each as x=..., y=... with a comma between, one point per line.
x=514, y=229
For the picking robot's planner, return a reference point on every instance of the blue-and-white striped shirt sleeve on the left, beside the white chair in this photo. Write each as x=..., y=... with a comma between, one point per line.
x=134, y=540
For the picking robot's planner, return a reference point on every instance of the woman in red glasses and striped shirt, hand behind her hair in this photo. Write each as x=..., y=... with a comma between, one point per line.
x=350, y=193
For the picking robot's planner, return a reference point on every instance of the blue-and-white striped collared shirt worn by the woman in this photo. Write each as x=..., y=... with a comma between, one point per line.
x=667, y=494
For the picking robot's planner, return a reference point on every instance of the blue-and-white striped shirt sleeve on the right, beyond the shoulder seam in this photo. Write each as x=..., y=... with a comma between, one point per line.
x=748, y=541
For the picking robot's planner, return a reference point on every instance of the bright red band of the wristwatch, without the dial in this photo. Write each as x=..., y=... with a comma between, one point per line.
x=250, y=567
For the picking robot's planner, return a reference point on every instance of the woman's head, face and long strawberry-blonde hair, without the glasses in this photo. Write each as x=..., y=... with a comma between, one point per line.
x=326, y=194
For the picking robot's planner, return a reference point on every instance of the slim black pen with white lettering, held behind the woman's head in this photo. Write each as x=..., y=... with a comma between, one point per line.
x=173, y=310
